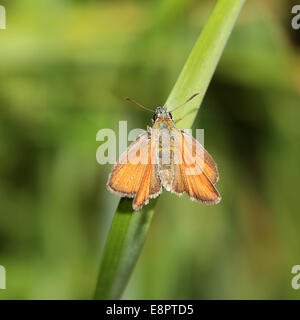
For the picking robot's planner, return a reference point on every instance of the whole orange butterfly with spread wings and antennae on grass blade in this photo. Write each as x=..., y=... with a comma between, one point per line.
x=164, y=156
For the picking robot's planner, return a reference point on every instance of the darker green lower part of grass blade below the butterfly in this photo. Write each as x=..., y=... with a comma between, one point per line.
x=123, y=245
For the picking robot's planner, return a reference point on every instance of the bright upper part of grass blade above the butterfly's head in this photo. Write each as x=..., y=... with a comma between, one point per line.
x=201, y=64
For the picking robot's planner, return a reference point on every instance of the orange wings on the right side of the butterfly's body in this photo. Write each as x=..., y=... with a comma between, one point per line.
x=195, y=174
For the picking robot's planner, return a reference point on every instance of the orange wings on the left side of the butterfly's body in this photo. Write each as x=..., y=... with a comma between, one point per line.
x=135, y=175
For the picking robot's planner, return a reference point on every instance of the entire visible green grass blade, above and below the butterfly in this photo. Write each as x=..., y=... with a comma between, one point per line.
x=129, y=229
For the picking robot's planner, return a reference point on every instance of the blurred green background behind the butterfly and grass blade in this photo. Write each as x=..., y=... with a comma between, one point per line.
x=65, y=67
